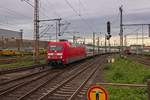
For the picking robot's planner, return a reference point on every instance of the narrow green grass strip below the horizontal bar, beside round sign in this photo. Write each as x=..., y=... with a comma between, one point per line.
x=126, y=93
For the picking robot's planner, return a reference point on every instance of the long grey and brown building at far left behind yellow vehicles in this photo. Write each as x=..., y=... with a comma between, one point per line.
x=13, y=40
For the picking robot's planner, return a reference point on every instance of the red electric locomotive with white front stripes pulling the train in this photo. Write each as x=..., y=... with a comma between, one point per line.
x=64, y=52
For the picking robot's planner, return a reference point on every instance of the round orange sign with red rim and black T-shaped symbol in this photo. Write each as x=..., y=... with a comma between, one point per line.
x=97, y=92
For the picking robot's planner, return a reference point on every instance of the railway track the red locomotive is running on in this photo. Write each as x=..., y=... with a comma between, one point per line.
x=19, y=73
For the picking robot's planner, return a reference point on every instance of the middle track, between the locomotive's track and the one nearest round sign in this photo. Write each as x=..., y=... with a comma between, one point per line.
x=20, y=90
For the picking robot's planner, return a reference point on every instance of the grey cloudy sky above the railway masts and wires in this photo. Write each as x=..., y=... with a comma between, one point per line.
x=85, y=16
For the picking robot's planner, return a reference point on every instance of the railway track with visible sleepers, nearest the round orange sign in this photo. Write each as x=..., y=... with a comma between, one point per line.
x=71, y=88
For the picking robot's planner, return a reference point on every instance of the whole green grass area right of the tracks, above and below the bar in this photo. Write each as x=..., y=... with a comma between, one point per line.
x=126, y=71
